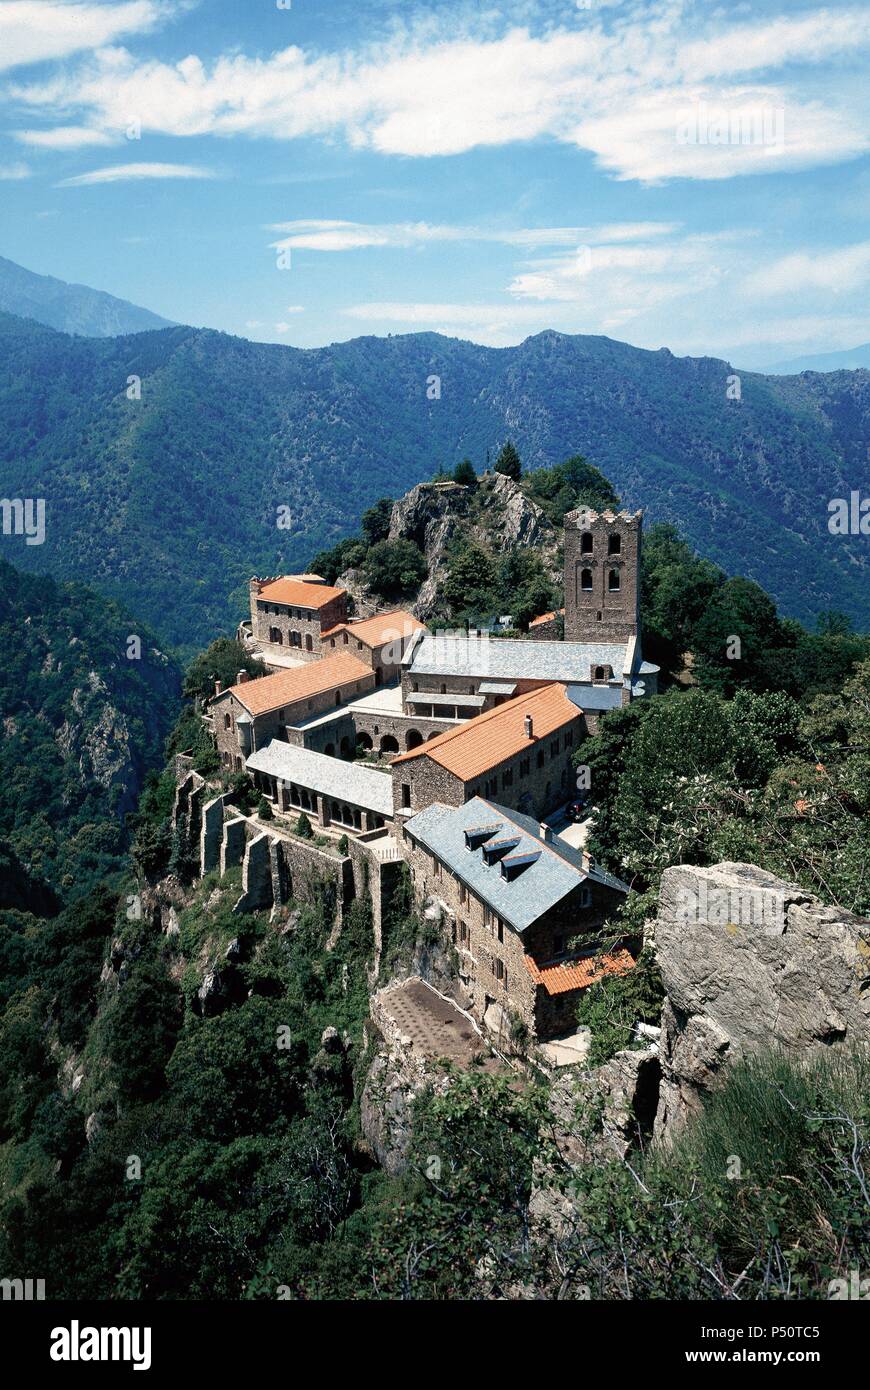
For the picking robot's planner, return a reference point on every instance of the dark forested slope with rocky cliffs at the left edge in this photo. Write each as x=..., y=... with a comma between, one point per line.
x=81, y=723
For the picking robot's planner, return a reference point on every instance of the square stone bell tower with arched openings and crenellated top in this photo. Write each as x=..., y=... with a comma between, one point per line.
x=602, y=576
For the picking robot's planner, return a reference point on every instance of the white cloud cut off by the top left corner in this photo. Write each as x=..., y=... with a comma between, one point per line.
x=34, y=31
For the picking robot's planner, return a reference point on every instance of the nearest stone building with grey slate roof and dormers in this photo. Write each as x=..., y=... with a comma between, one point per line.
x=515, y=899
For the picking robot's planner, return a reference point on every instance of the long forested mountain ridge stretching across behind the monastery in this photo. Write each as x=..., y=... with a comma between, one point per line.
x=170, y=501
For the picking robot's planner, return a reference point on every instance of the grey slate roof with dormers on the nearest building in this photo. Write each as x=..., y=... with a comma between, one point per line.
x=523, y=900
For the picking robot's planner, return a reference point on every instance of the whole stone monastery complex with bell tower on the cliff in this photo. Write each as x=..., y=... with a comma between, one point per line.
x=452, y=753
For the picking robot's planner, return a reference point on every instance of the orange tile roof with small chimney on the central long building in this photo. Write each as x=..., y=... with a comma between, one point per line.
x=489, y=740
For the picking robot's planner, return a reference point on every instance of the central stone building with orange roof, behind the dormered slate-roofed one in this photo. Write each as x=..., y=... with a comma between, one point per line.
x=519, y=753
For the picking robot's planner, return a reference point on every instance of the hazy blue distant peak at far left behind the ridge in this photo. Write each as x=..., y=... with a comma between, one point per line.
x=73, y=309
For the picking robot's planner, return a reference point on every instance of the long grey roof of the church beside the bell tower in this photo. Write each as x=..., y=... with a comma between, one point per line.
x=509, y=660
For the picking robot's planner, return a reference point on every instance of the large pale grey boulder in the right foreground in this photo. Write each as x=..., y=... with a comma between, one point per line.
x=751, y=964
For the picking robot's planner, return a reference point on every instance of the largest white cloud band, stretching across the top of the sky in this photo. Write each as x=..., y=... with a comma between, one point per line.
x=616, y=83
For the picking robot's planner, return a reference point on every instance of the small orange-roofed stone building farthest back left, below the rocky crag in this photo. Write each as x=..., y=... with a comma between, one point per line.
x=290, y=615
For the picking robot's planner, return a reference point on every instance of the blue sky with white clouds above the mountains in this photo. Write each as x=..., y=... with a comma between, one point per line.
x=672, y=174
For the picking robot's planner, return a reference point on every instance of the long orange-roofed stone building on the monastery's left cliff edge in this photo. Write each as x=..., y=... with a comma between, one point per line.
x=254, y=712
